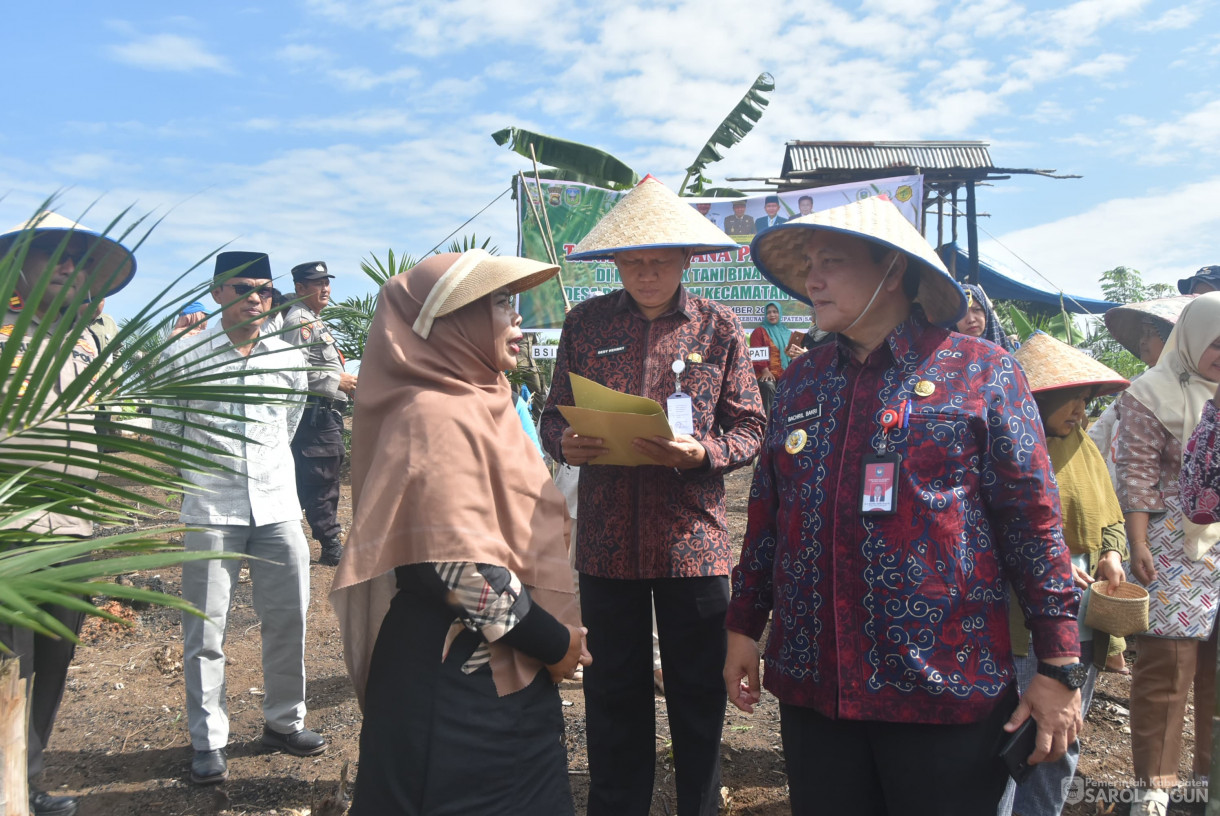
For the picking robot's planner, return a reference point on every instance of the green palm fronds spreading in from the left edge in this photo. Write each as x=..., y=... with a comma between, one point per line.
x=49, y=459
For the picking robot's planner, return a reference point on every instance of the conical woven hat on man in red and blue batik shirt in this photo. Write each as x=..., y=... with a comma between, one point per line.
x=780, y=253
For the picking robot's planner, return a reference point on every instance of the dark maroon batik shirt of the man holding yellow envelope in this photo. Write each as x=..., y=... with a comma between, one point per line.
x=652, y=521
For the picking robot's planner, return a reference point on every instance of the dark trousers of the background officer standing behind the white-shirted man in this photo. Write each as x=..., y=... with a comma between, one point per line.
x=318, y=451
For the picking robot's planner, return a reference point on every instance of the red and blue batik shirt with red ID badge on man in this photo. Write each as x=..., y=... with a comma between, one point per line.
x=903, y=618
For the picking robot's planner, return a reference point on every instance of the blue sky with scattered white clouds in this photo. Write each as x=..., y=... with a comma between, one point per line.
x=335, y=130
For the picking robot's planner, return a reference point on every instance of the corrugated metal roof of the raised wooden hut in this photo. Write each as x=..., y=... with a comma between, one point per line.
x=806, y=158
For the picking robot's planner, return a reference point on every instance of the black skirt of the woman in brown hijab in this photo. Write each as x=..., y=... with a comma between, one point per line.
x=439, y=742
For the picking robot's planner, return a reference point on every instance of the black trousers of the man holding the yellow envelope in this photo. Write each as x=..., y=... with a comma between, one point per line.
x=620, y=709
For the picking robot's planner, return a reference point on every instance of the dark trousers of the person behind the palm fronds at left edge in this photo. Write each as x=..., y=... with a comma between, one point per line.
x=47, y=660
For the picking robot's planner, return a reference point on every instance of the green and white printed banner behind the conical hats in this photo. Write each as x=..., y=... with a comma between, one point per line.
x=730, y=277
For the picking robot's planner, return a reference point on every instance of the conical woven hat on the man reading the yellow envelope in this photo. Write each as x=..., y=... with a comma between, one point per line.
x=652, y=217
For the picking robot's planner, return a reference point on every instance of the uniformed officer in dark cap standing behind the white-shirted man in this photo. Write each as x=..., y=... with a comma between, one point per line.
x=318, y=447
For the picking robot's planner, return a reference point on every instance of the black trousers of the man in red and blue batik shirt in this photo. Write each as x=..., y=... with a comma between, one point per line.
x=879, y=769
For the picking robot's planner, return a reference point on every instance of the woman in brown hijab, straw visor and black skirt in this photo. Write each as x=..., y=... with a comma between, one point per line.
x=454, y=595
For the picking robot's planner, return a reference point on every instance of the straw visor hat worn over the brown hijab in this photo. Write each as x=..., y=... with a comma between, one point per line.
x=474, y=275
